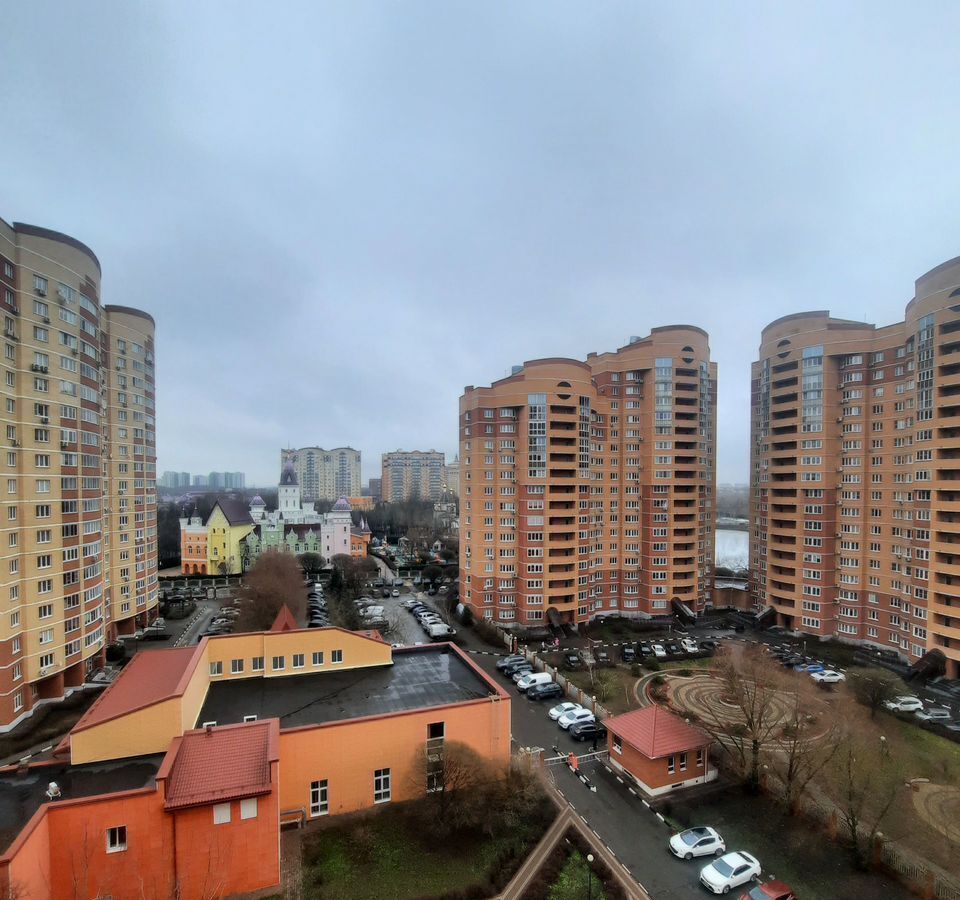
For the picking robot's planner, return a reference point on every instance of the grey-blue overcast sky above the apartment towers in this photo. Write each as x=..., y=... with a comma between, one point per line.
x=341, y=214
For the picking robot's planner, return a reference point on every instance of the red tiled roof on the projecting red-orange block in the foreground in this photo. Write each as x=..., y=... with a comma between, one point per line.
x=218, y=764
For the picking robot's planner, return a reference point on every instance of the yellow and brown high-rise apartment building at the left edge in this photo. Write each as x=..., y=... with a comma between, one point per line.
x=78, y=542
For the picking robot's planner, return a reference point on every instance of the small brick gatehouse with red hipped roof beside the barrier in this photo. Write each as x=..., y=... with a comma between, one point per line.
x=658, y=750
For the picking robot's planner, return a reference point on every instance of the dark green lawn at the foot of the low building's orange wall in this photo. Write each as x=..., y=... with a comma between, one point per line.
x=389, y=855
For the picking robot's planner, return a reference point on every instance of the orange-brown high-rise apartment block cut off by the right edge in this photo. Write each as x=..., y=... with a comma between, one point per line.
x=855, y=474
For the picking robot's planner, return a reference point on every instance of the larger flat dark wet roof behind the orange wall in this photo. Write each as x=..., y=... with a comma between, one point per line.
x=431, y=676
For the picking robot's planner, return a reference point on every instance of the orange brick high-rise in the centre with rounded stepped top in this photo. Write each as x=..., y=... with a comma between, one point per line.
x=587, y=487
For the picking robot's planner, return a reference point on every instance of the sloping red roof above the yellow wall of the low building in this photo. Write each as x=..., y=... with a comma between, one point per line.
x=151, y=676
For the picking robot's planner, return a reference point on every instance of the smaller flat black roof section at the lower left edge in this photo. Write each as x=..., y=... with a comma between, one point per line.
x=22, y=794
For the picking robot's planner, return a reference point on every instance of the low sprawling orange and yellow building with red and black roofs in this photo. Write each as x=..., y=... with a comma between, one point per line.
x=180, y=774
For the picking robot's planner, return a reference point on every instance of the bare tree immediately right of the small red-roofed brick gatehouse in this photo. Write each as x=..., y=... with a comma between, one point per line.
x=751, y=687
